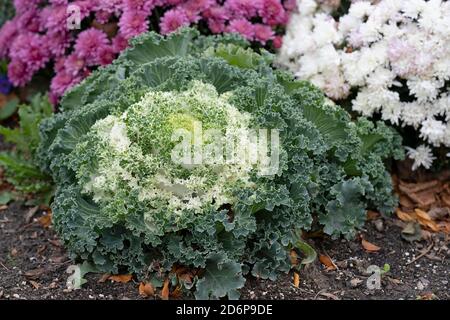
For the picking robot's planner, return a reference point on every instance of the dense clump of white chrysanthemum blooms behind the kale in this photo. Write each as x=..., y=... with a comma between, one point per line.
x=395, y=55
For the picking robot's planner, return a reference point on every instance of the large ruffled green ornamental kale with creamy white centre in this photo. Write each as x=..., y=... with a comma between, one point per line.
x=123, y=203
